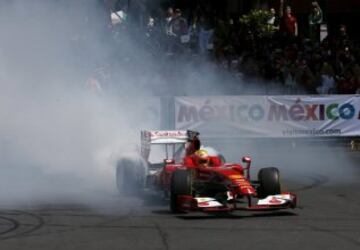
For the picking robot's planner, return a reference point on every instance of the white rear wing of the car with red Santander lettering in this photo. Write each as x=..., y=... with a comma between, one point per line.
x=149, y=137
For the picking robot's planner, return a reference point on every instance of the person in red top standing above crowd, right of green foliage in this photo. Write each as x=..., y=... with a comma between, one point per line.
x=289, y=26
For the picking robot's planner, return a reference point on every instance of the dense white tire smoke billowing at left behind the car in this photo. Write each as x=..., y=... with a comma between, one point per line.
x=58, y=138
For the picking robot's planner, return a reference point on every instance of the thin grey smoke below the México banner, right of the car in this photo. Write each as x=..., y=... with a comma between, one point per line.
x=302, y=161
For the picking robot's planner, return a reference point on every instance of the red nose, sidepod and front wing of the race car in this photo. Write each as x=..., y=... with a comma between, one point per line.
x=234, y=176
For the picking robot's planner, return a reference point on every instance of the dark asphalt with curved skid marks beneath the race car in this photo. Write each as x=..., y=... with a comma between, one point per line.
x=328, y=217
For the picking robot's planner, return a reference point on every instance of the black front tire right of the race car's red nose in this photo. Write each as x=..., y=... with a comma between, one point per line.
x=269, y=180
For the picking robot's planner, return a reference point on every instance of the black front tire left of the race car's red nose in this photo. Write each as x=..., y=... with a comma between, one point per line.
x=181, y=184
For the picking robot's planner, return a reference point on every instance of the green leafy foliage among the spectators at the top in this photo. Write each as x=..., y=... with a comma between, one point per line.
x=256, y=23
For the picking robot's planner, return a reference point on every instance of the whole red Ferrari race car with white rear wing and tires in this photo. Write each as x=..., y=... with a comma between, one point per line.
x=194, y=180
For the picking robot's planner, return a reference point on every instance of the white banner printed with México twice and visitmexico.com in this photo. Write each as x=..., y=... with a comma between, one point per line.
x=270, y=116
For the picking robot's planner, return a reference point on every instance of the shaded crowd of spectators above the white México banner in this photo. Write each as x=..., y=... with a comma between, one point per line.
x=314, y=62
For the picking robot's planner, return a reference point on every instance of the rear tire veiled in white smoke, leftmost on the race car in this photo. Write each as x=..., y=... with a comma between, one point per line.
x=129, y=177
